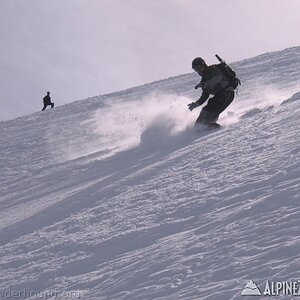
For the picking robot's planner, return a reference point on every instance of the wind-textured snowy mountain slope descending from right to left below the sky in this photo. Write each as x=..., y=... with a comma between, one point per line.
x=117, y=197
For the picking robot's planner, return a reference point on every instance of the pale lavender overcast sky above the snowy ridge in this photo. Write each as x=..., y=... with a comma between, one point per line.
x=82, y=48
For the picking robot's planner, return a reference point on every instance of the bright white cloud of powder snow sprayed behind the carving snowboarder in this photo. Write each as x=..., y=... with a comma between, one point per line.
x=121, y=125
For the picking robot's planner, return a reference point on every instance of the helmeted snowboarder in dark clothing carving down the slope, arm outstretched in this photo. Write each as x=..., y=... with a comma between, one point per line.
x=214, y=82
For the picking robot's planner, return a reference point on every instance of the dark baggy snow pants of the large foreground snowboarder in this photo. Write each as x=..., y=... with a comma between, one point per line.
x=215, y=106
